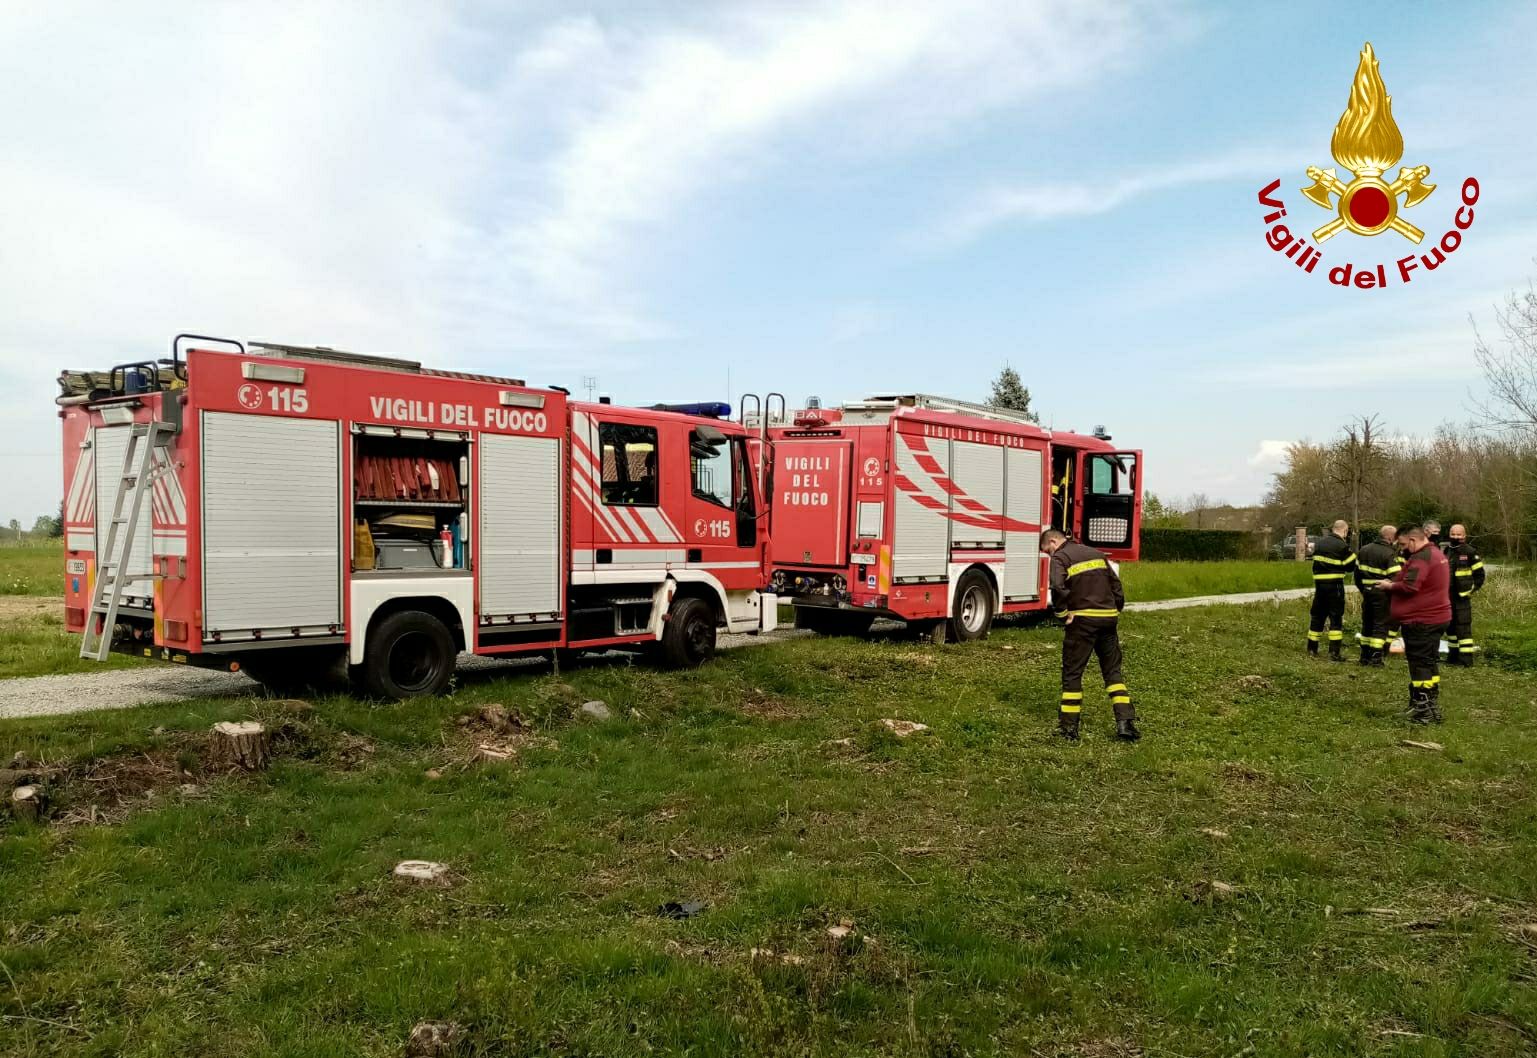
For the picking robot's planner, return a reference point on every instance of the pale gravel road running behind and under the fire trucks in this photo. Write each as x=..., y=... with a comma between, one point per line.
x=125, y=688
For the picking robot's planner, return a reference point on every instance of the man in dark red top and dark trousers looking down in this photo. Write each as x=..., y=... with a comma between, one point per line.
x=1421, y=607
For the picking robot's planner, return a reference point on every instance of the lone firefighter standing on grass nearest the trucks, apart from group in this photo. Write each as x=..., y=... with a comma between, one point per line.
x=1086, y=593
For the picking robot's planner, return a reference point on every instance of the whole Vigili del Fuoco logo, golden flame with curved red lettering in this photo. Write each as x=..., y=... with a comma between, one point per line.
x=1367, y=144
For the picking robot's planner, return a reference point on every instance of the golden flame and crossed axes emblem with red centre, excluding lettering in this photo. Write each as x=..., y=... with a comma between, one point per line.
x=1367, y=144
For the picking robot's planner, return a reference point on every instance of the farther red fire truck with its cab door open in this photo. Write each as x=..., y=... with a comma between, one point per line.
x=931, y=511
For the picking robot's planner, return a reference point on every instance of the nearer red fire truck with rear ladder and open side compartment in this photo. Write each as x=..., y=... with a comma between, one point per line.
x=281, y=508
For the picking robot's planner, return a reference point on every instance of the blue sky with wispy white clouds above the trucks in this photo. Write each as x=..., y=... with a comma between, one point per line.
x=825, y=199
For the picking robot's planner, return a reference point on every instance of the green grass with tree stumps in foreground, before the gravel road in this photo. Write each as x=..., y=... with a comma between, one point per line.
x=1006, y=894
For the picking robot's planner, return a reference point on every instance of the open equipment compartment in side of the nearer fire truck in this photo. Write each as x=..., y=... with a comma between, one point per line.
x=411, y=501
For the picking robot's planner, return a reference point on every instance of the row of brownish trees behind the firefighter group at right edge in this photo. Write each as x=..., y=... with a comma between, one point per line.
x=1482, y=474
